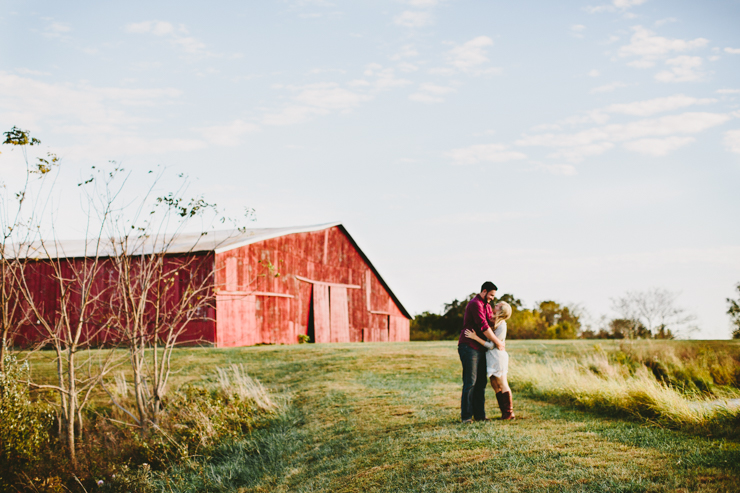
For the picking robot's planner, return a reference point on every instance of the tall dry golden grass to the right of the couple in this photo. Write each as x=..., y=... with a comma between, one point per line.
x=626, y=383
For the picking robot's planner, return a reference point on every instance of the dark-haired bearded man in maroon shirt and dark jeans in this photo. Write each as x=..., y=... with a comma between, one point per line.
x=473, y=355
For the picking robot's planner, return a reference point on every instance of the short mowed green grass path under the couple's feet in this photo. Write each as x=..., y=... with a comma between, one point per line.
x=385, y=417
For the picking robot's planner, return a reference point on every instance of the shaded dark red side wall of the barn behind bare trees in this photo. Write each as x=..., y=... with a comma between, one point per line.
x=45, y=290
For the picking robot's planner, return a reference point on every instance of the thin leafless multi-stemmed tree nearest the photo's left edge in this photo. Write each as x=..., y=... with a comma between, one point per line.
x=57, y=298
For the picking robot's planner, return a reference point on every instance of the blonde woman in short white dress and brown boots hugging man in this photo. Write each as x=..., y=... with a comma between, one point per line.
x=497, y=360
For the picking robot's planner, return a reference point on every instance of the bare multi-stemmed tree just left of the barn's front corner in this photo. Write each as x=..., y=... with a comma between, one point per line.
x=159, y=295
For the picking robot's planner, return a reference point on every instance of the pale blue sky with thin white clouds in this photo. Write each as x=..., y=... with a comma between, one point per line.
x=570, y=151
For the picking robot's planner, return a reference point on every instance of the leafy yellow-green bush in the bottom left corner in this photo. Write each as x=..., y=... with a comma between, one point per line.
x=24, y=424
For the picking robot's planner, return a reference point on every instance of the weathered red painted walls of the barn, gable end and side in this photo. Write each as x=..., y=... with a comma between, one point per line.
x=317, y=283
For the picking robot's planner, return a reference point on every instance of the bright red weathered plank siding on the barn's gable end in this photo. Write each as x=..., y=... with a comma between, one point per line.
x=327, y=256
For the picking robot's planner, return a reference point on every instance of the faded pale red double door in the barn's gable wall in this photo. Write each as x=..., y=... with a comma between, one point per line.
x=330, y=313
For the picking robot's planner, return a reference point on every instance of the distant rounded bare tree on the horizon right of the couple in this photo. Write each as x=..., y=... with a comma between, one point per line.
x=655, y=310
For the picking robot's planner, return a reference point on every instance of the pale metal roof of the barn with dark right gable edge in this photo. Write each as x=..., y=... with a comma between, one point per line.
x=212, y=241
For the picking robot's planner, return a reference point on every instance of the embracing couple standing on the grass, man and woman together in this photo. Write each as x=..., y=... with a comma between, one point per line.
x=483, y=355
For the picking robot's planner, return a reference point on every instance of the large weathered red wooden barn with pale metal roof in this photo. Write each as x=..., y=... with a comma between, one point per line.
x=273, y=285
